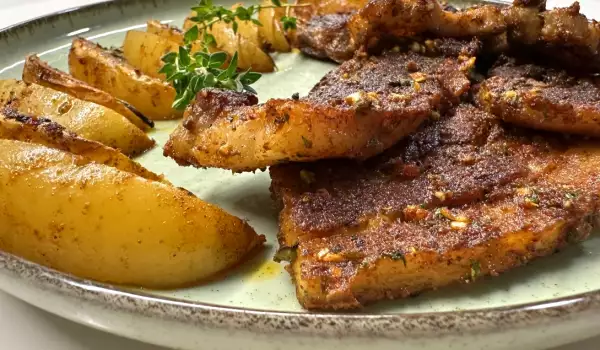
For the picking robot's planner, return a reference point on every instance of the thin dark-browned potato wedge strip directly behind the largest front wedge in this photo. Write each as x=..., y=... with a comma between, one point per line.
x=19, y=127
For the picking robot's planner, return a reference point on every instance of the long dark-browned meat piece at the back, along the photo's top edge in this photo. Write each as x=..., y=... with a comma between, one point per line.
x=562, y=36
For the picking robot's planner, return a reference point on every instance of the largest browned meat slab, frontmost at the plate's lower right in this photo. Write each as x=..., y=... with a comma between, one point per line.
x=465, y=196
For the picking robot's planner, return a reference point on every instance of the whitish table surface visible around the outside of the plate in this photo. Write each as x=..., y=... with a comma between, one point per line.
x=24, y=327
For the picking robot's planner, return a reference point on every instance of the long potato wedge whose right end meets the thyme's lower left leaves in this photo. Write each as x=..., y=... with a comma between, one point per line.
x=102, y=69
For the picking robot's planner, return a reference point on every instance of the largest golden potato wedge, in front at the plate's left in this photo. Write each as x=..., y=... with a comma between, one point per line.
x=97, y=222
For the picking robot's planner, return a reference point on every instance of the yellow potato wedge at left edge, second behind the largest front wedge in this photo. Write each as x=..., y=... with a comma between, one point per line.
x=86, y=119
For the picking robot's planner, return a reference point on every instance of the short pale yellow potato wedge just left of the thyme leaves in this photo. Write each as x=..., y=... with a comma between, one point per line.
x=144, y=51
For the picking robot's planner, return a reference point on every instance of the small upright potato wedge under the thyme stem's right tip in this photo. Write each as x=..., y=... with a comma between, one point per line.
x=271, y=30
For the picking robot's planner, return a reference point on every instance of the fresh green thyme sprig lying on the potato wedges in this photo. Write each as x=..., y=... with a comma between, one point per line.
x=189, y=72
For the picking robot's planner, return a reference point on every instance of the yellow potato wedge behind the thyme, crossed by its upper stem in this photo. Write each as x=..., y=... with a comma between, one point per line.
x=246, y=42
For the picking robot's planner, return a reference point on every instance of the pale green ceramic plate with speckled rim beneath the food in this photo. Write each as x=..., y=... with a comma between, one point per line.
x=549, y=302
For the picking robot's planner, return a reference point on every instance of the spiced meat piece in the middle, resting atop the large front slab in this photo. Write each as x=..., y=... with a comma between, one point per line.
x=357, y=111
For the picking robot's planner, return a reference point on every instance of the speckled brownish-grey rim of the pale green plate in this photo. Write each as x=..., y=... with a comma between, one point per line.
x=388, y=325
